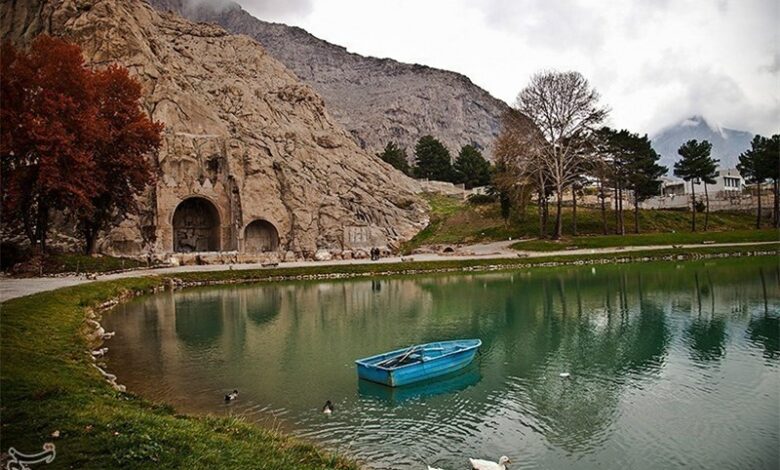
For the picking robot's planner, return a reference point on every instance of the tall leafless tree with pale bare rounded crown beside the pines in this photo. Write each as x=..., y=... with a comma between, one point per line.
x=565, y=109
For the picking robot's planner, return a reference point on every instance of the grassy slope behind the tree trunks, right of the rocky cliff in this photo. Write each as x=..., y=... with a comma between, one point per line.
x=456, y=221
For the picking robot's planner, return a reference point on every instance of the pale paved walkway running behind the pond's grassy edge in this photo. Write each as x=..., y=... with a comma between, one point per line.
x=11, y=288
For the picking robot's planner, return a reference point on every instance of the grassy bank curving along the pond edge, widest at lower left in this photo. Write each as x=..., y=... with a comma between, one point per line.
x=48, y=383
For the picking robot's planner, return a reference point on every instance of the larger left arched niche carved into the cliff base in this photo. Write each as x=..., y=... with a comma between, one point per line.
x=196, y=226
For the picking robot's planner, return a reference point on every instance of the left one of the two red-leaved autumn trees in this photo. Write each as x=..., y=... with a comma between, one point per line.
x=48, y=134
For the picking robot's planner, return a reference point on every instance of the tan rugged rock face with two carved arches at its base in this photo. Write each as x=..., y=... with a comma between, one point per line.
x=251, y=160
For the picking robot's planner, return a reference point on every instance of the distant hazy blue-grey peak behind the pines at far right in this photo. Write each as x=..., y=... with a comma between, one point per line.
x=727, y=144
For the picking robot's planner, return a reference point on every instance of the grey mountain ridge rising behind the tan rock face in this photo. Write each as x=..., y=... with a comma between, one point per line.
x=376, y=100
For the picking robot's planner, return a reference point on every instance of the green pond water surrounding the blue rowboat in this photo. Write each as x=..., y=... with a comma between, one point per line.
x=672, y=365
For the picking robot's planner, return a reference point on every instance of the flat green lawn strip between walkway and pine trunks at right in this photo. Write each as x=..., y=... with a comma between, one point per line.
x=648, y=239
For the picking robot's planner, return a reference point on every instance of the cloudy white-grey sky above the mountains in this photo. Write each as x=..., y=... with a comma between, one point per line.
x=655, y=62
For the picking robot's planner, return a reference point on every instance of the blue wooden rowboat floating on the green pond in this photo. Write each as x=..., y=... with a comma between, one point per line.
x=419, y=362
